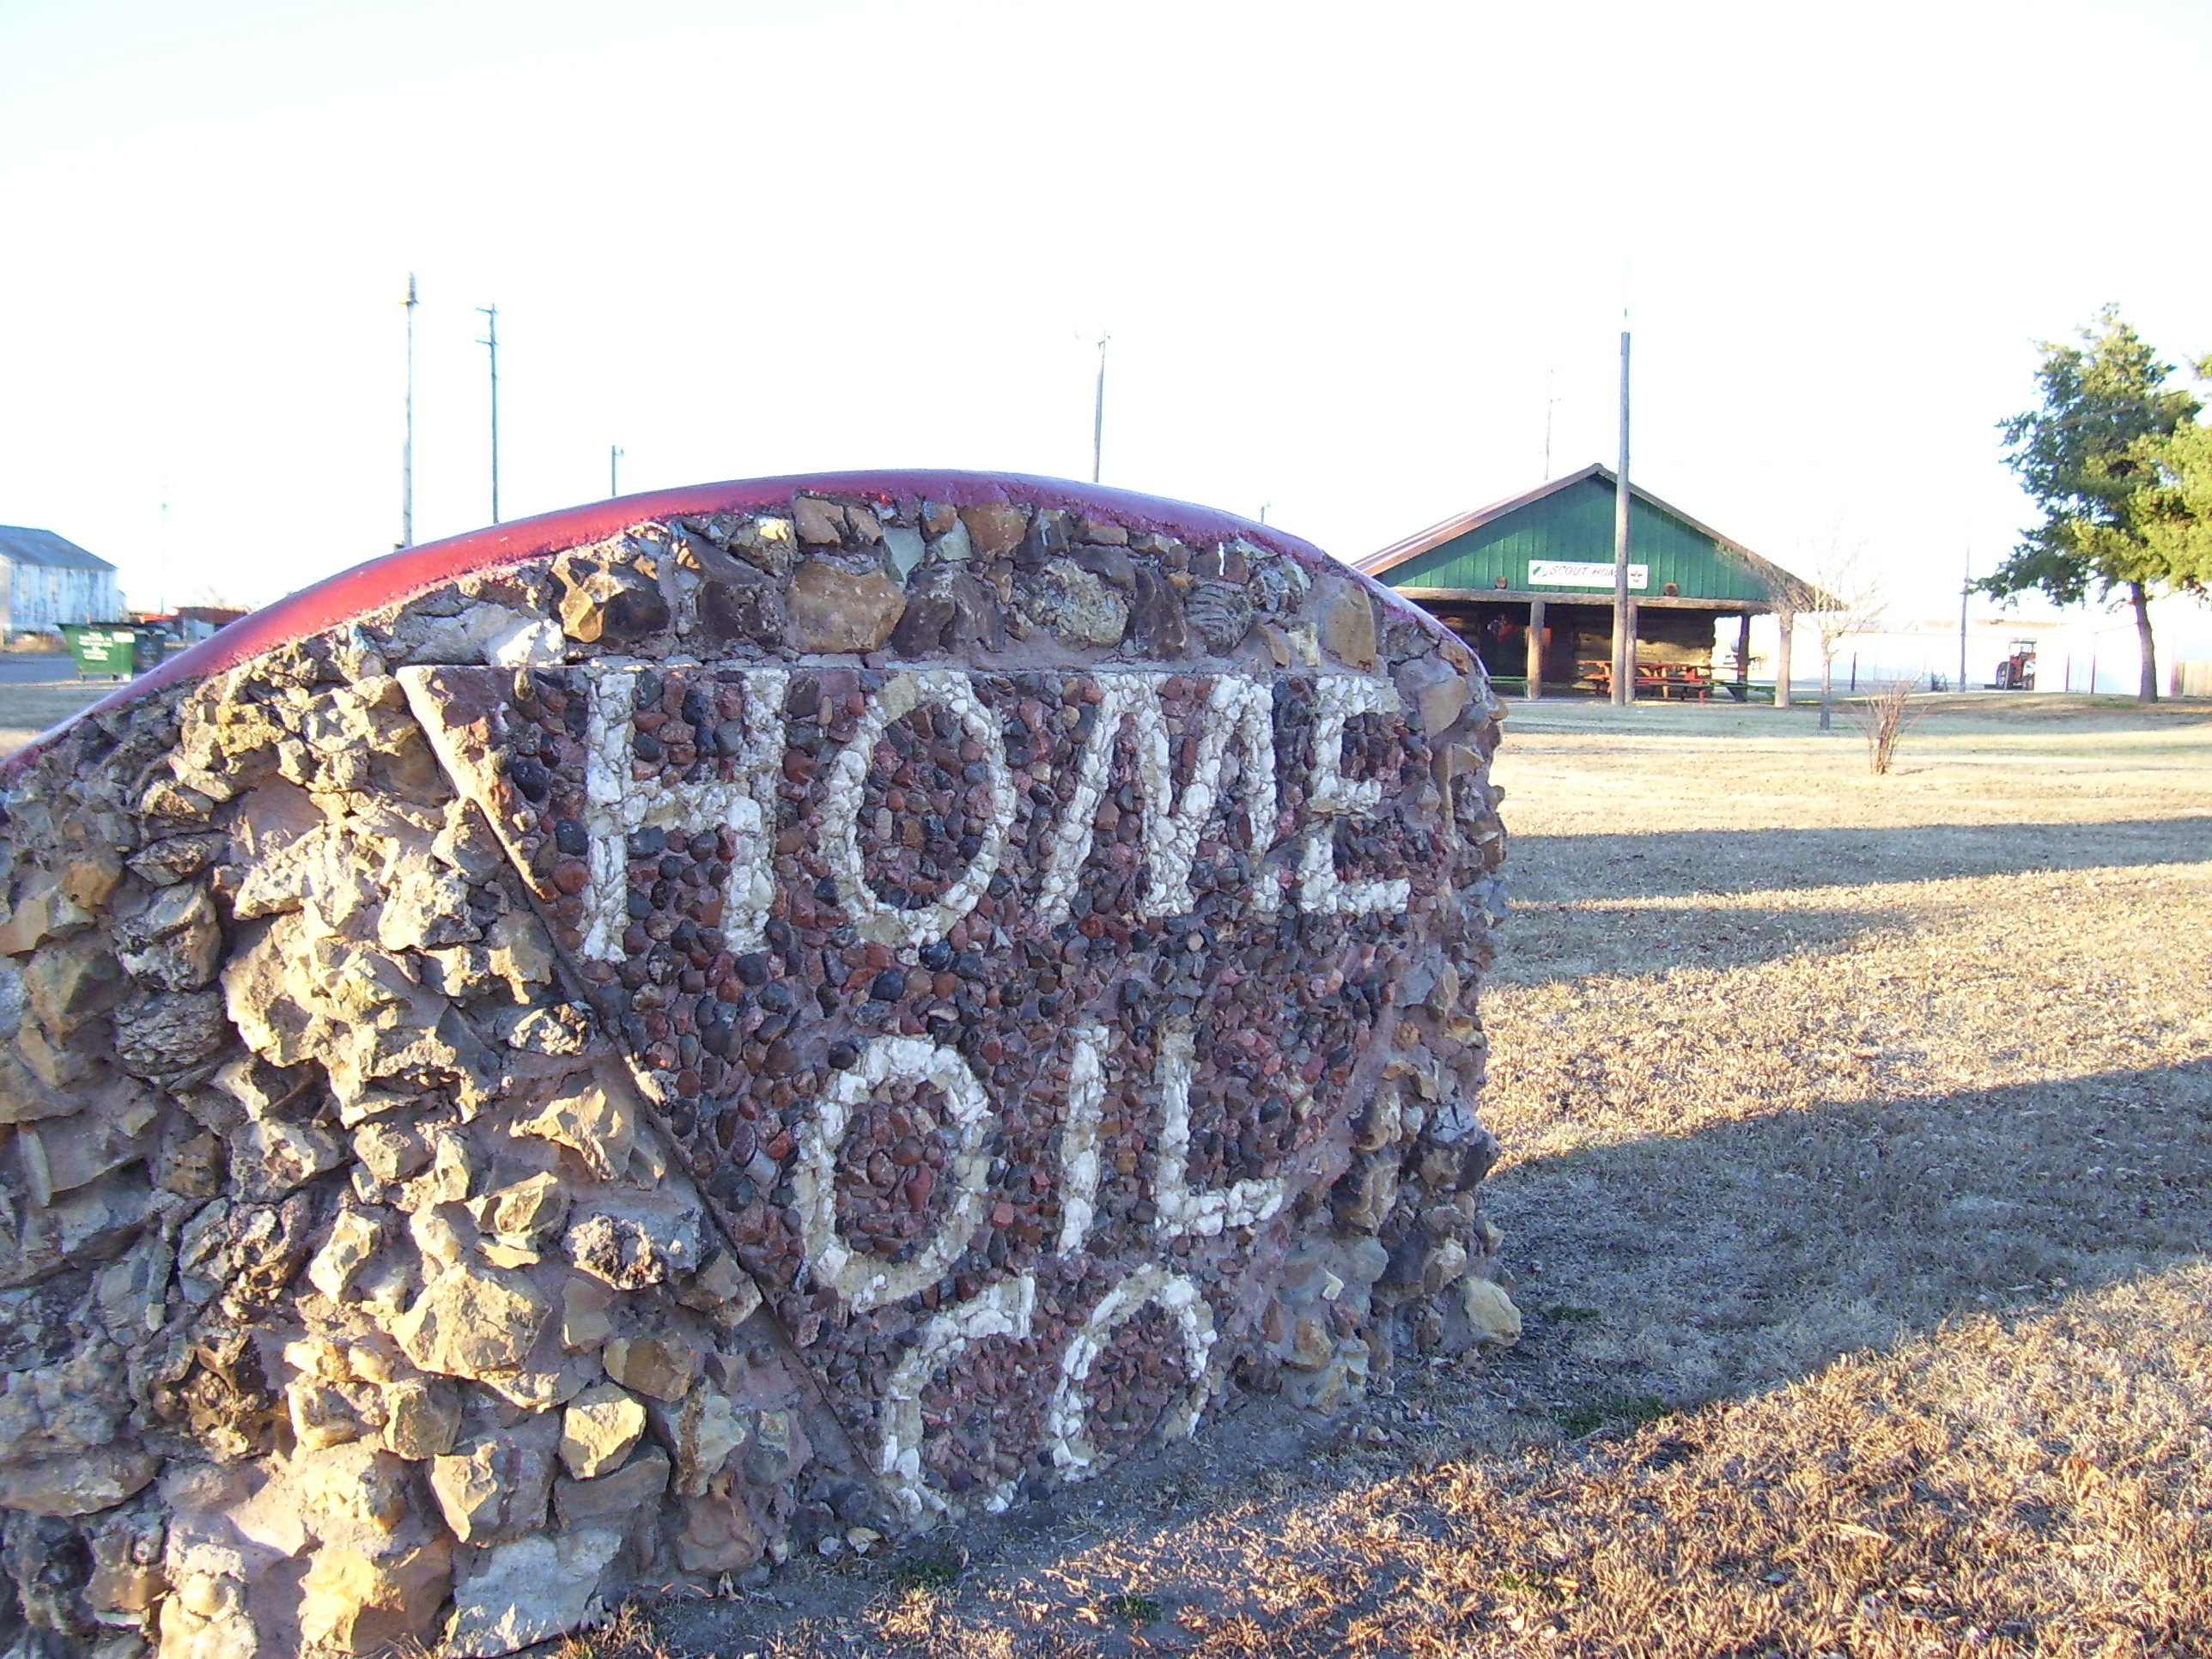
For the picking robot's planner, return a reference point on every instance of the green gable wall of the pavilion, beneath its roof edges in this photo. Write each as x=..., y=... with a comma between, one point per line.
x=1578, y=525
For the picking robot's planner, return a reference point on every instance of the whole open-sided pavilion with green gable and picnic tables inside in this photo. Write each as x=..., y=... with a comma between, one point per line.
x=1530, y=587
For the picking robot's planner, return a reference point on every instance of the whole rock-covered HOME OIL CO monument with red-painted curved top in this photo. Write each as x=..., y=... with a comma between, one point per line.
x=623, y=1050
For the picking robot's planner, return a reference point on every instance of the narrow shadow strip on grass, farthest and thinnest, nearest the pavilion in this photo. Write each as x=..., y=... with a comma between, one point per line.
x=1687, y=864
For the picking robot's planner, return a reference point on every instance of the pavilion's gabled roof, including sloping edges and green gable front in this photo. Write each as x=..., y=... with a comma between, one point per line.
x=1572, y=521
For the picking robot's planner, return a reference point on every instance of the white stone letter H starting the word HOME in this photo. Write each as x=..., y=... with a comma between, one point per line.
x=618, y=808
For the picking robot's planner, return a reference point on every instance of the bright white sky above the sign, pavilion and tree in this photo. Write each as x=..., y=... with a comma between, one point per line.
x=1339, y=251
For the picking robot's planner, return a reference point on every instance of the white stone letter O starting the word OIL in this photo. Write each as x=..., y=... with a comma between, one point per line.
x=859, y=1280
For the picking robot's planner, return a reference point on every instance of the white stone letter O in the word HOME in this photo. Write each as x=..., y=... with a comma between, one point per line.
x=842, y=811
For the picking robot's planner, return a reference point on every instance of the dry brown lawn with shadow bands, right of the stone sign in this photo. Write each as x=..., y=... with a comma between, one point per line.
x=1857, y=1187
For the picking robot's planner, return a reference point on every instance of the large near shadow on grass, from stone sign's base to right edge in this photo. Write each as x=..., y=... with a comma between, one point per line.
x=1656, y=1275
